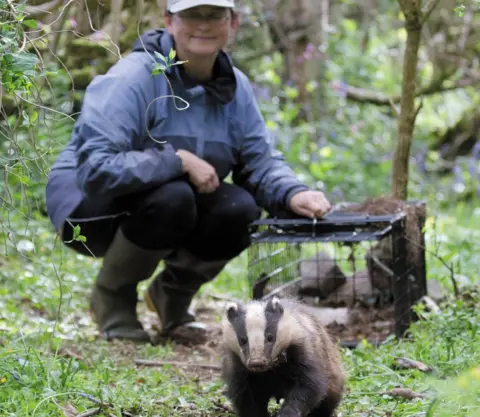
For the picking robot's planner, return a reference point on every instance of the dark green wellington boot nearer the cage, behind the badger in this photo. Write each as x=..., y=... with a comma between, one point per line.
x=171, y=292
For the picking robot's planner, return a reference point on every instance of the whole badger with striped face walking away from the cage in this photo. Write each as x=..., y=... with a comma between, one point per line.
x=279, y=349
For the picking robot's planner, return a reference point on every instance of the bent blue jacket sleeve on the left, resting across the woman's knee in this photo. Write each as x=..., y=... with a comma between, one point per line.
x=113, y=116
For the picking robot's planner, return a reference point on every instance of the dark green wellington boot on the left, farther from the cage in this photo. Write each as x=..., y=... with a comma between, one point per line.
x=113, y=301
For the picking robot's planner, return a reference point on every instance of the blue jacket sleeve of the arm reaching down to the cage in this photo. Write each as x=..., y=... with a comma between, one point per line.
x=262, y=170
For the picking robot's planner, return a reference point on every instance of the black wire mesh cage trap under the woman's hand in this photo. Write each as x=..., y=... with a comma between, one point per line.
x=345, y=259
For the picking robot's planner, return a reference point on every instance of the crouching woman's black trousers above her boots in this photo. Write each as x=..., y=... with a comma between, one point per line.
x=210, y=226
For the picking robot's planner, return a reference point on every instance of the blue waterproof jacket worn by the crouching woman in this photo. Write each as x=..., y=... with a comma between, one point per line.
x=111, y=154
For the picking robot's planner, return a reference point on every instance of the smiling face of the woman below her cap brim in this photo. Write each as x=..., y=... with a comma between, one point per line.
x=201, y=31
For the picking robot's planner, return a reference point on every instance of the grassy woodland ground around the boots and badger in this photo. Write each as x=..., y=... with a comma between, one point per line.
x=52, y=362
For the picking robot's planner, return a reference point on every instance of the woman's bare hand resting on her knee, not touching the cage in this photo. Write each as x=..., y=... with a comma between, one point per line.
x=201, y=174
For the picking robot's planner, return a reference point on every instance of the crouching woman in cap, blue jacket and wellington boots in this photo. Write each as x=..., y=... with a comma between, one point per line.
x=144, y=174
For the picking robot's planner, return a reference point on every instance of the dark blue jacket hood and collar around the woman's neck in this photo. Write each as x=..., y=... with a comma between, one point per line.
x=221, y=87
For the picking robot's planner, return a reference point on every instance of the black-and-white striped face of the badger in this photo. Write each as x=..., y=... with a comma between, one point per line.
x=254, y=332
